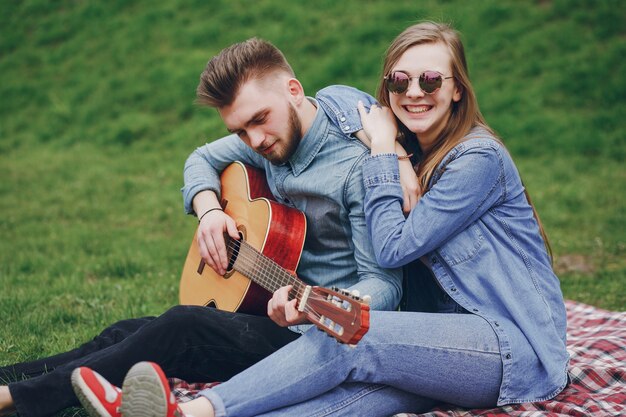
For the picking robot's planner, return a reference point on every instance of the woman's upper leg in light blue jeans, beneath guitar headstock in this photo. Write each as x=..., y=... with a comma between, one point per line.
x=444, y=357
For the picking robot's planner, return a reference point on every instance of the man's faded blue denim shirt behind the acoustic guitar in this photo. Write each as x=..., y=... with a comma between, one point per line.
x=324, y=180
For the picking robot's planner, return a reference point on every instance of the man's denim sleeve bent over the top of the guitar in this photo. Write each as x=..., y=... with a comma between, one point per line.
x=204, y=165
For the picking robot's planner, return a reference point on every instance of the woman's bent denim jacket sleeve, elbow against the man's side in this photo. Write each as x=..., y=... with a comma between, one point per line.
x=471, y=181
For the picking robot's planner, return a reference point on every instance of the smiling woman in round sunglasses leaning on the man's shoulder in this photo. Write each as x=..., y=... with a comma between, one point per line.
x=490, y=323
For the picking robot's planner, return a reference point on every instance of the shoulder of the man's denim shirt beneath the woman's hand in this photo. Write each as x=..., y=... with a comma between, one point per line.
x=339, y=102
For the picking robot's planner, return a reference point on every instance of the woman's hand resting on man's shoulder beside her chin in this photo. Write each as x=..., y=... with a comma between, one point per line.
x=380, y=127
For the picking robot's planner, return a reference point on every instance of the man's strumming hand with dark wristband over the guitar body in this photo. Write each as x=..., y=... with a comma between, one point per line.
x=213, y=224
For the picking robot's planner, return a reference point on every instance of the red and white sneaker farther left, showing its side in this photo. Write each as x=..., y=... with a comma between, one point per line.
x=97, y=395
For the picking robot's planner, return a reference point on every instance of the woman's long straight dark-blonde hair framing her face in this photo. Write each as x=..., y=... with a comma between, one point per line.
x=464, y=114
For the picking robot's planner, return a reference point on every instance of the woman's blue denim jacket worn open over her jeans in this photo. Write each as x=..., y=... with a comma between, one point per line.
x=476, y=232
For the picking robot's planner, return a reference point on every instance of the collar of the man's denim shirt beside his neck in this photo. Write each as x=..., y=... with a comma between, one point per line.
x=311, y=142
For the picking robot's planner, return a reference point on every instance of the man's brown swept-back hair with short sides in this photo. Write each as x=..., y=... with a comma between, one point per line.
x=226, y=72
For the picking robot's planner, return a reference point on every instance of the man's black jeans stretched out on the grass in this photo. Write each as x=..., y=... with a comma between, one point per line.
x=197, y=344
